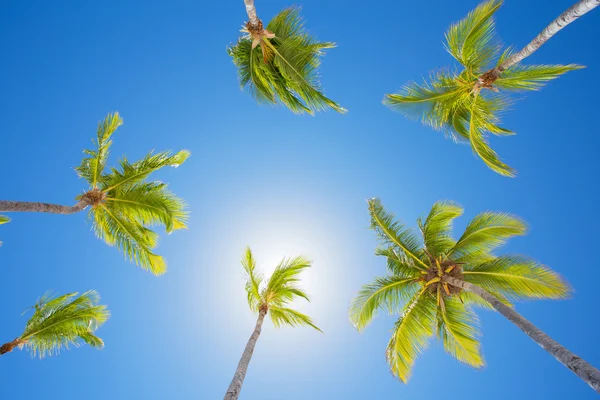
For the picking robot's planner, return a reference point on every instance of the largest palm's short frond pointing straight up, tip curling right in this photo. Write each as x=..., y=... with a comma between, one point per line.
x=437, y=228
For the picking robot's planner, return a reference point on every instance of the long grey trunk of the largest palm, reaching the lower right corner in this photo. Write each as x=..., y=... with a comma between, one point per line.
x=579, y=366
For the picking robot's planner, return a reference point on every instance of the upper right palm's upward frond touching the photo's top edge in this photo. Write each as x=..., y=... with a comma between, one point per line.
x=472, y=40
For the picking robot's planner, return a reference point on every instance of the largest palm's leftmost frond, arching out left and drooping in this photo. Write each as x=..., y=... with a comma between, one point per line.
x=390, y=293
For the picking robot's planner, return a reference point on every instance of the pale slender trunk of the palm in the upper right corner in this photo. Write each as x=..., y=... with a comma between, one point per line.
x=564, y=19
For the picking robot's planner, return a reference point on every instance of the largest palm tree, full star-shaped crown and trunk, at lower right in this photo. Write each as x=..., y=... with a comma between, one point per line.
x=434, y=282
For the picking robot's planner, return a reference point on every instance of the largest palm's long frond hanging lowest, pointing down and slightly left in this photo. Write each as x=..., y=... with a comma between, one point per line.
x=411, y=334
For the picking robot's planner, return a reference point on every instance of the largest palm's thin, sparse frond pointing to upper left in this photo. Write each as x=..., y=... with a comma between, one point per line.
x=394, y=233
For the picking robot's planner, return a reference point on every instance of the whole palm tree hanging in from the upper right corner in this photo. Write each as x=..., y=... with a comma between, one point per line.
x=456, y=103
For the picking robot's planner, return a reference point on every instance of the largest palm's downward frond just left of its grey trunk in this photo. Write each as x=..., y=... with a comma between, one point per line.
x=459, y=331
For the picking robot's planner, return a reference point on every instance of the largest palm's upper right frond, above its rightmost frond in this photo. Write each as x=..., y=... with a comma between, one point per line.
x=486, y=232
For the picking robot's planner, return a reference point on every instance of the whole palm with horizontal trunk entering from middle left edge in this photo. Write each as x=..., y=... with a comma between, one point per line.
x=123, y=204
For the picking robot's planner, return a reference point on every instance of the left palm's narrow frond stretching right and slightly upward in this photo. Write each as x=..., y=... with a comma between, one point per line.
x=130, y=174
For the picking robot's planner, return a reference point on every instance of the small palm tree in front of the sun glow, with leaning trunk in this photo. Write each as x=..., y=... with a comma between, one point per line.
x=271, y=296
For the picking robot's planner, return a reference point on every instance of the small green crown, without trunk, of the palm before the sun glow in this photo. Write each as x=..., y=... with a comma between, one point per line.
x=273, y=296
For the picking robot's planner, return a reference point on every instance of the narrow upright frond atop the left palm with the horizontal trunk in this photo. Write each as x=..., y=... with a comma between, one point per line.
x=92, y=167
